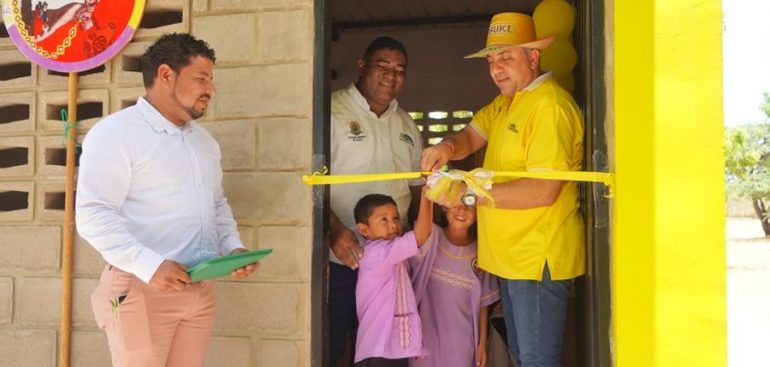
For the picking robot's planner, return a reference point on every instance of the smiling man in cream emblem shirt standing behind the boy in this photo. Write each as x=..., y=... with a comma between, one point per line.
x=370, y=133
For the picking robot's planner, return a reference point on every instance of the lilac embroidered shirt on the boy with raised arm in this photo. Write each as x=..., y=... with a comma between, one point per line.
x=389, y=325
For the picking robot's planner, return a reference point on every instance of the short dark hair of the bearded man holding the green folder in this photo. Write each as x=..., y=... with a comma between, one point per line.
x=174, y=50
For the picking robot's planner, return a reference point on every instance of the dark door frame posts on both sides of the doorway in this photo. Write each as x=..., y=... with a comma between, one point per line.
x=593, y=290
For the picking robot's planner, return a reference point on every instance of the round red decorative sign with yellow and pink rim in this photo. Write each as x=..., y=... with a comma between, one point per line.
x=71, y=35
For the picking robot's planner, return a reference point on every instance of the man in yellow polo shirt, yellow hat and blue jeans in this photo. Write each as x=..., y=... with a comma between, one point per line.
x=532, y=238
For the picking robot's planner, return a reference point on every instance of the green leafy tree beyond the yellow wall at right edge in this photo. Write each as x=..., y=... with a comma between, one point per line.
x=747, y=165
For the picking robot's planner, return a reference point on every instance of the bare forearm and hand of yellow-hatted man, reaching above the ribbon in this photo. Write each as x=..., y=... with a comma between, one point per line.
x=453, y=147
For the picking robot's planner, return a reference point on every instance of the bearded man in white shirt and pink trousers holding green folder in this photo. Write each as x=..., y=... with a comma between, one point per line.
x=150, y=200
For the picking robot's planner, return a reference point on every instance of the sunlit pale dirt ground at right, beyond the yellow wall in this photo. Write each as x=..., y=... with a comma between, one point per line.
x=748, y=293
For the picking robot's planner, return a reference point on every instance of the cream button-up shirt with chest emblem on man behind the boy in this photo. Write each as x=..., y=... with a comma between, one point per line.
x=362, y=142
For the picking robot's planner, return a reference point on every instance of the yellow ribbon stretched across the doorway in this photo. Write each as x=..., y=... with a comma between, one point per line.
x=323, y=178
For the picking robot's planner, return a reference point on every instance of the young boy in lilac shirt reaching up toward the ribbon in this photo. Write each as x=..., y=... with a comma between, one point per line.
x=389, y=330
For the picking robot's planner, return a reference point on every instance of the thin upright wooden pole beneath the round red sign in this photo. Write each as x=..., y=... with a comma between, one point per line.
x=69, y=214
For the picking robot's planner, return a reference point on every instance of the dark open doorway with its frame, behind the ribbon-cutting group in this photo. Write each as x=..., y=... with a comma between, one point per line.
x=441, y=92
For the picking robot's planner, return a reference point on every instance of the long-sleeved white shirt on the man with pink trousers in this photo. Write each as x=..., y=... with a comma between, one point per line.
x=149, y=191
